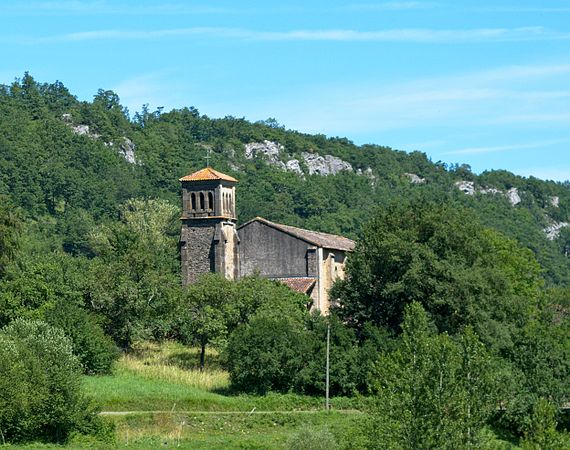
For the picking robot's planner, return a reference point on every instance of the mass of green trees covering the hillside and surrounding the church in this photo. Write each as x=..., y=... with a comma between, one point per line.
x=453, y=316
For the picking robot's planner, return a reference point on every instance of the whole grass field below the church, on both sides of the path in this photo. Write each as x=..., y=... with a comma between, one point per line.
x=158, y=398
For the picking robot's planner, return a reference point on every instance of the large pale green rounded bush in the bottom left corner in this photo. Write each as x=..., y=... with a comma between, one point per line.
x=40, y=390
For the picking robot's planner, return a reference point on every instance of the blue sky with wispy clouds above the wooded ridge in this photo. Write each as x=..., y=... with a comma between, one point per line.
x=485, y=83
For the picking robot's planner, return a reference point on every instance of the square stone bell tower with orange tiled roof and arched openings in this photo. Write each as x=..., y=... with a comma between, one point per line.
x=208, y=239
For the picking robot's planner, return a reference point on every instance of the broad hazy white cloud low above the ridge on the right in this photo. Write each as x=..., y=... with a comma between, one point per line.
x=529, y=96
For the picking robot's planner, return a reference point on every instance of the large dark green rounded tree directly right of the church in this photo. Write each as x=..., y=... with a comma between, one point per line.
x=441, y=256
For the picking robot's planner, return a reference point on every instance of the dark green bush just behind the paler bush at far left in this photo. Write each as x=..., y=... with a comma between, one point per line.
x=96, y=351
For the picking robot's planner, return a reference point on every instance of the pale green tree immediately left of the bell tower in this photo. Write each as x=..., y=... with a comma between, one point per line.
x=134, y=282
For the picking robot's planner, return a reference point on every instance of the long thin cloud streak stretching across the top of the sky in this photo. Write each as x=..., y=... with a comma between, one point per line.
x=405, y=35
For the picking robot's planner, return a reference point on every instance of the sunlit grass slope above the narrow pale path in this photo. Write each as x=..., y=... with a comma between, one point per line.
x=165, y=377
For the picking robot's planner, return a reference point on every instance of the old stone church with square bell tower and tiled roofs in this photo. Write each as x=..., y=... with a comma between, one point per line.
x=210, y=240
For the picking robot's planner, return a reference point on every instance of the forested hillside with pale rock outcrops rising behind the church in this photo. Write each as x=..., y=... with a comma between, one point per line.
x=70, y=164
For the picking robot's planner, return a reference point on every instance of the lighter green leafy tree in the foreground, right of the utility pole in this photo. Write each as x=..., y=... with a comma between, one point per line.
x=433, y=391
